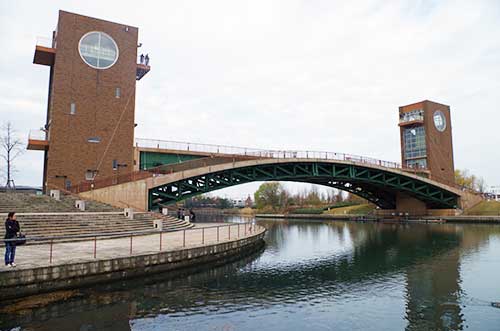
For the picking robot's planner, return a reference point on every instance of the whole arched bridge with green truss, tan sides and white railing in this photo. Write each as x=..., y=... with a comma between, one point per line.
x=195, y=169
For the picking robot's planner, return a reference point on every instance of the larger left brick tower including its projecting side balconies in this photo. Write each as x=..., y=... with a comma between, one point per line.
x=89, y=129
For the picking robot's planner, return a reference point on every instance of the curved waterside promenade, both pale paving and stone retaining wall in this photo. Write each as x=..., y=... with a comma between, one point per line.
x=71, y=265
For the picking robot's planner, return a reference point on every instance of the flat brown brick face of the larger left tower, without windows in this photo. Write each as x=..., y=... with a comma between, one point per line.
x=98, y=112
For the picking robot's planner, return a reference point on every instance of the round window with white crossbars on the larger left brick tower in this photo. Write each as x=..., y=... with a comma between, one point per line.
x=98, y=50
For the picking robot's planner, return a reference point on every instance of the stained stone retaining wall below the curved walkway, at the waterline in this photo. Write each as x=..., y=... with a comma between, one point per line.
x=16, y=283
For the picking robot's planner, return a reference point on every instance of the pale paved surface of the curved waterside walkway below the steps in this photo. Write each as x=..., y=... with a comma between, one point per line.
x=32, y=256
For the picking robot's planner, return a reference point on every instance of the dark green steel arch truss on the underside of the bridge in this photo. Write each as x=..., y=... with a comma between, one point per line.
x=375, y=185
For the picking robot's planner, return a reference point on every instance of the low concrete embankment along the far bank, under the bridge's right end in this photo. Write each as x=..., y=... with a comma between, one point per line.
x=425, y=219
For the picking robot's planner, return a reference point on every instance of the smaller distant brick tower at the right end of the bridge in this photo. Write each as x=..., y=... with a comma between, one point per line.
x=426, y=139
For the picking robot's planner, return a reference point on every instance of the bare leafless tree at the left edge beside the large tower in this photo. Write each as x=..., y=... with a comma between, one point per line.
x=11, y=148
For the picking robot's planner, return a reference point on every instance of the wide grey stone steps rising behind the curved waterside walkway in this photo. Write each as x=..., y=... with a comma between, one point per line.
x=47, y=217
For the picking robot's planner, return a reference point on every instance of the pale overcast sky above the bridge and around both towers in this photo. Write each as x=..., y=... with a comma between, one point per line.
x=301, y=75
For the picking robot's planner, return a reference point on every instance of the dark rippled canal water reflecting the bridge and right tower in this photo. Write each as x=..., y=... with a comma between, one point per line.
x=310, y=276
